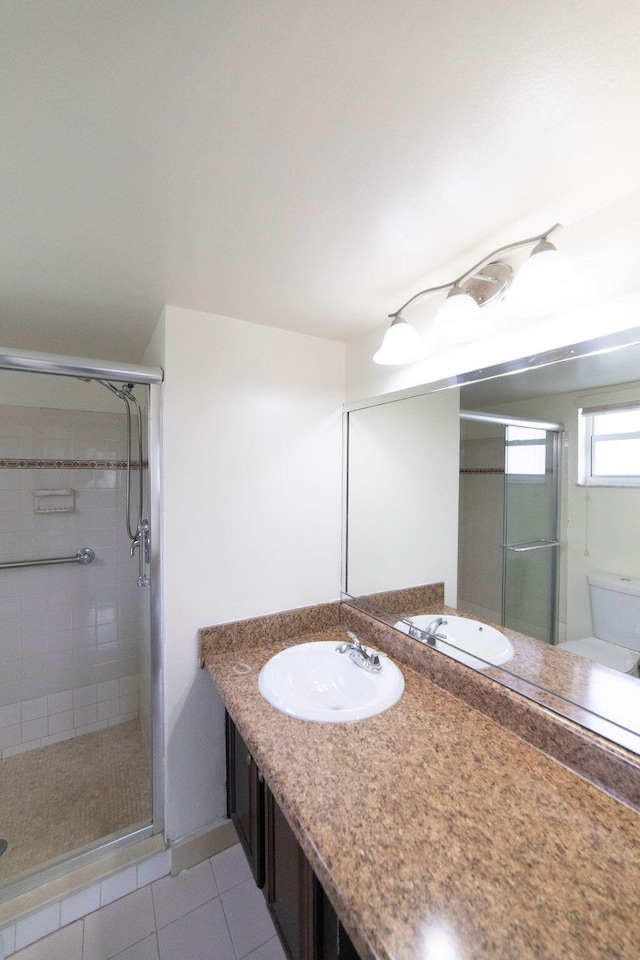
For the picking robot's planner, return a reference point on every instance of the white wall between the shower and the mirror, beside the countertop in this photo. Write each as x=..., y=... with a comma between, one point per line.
x=251, y=512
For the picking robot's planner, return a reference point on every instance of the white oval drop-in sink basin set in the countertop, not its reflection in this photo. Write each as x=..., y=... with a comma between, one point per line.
x=312, y=681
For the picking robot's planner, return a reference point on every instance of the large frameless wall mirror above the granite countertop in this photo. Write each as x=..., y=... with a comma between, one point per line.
x=479, y=482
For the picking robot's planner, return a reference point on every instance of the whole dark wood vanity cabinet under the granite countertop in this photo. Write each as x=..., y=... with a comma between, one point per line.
x=307, y=924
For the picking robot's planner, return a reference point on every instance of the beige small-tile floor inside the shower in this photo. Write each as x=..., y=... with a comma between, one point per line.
x=59, y=799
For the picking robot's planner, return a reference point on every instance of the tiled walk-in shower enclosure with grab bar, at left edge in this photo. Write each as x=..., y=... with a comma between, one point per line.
x=80, y=667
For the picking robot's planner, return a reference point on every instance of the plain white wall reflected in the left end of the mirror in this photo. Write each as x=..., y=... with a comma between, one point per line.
x=403, y=494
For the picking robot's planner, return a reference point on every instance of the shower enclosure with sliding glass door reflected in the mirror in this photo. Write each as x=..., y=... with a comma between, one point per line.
x=508, y=522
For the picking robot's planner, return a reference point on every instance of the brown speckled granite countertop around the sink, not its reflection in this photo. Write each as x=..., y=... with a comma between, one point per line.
x=436, y=832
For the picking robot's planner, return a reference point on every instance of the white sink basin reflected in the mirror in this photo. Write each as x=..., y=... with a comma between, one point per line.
x=464, y=637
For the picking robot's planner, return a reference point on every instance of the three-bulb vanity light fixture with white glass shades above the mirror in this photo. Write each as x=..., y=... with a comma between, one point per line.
x=459, y=317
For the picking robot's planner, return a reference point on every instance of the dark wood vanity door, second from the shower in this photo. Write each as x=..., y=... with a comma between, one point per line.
x=290, y=886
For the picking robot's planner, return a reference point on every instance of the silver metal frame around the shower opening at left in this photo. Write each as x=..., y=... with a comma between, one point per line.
x=82, y=367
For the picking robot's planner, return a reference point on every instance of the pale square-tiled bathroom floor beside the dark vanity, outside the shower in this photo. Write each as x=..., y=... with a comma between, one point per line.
x=214, y=911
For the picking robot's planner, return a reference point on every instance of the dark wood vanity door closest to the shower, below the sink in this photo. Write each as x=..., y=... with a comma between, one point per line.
x=245, y=800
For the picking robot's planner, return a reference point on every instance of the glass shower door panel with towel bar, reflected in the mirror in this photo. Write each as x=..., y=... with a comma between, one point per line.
x=530, y=545
